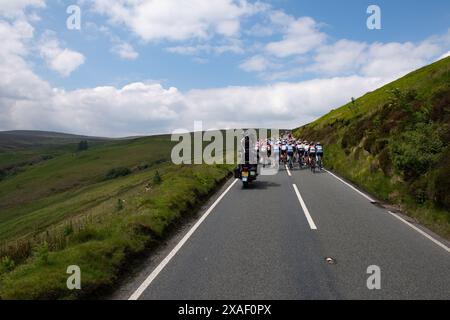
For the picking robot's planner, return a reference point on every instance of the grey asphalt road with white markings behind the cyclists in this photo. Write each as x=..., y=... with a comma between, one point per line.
x=266, y=243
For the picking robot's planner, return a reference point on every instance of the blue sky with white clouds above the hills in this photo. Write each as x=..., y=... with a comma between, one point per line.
x=138, y=67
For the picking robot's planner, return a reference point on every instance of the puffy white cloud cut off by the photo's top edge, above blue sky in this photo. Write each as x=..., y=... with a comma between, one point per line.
x=178, y=20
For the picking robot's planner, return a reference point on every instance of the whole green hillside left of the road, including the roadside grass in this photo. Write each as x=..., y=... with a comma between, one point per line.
x=95, y=208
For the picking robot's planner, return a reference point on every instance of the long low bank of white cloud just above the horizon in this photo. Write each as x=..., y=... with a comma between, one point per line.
x=141, y=108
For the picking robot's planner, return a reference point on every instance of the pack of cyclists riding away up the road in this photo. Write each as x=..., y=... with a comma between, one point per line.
x=290, y=150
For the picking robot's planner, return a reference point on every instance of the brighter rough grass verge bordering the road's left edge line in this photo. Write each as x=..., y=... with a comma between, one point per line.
x=103, y=246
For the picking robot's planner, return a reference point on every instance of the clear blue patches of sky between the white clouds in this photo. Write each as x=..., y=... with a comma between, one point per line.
x=402, y=21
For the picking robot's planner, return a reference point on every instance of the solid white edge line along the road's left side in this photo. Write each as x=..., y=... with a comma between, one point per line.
x=161, y=266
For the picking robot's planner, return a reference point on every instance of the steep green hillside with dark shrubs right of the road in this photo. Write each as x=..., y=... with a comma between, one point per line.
x=393, y=143
